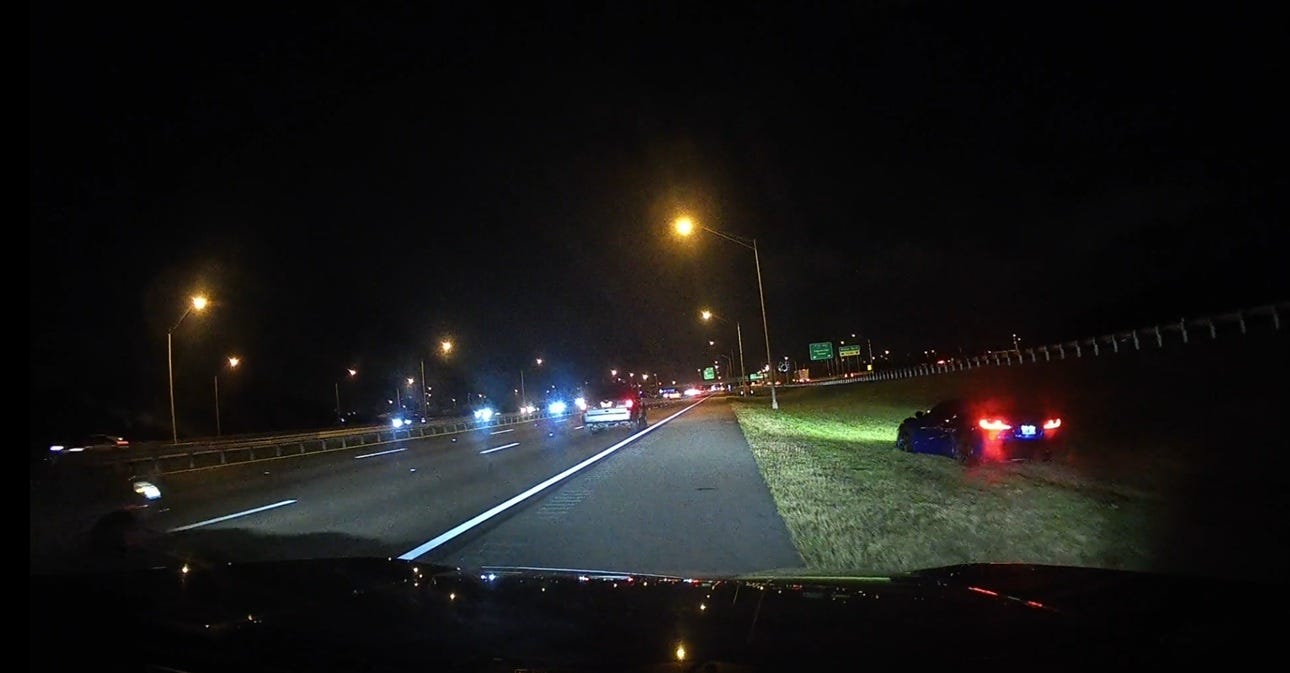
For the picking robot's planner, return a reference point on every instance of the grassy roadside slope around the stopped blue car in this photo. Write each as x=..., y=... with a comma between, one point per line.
x=1173, y=462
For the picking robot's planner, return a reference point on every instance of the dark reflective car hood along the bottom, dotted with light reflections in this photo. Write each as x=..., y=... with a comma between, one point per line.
x=377, y=614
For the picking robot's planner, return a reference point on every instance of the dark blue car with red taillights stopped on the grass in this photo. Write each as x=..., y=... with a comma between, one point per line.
x=975, y=431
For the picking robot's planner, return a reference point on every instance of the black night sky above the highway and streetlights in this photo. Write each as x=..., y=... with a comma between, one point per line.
x=350, y=185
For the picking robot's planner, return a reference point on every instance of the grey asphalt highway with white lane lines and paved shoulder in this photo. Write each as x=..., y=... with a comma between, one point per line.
x=683, y=497
